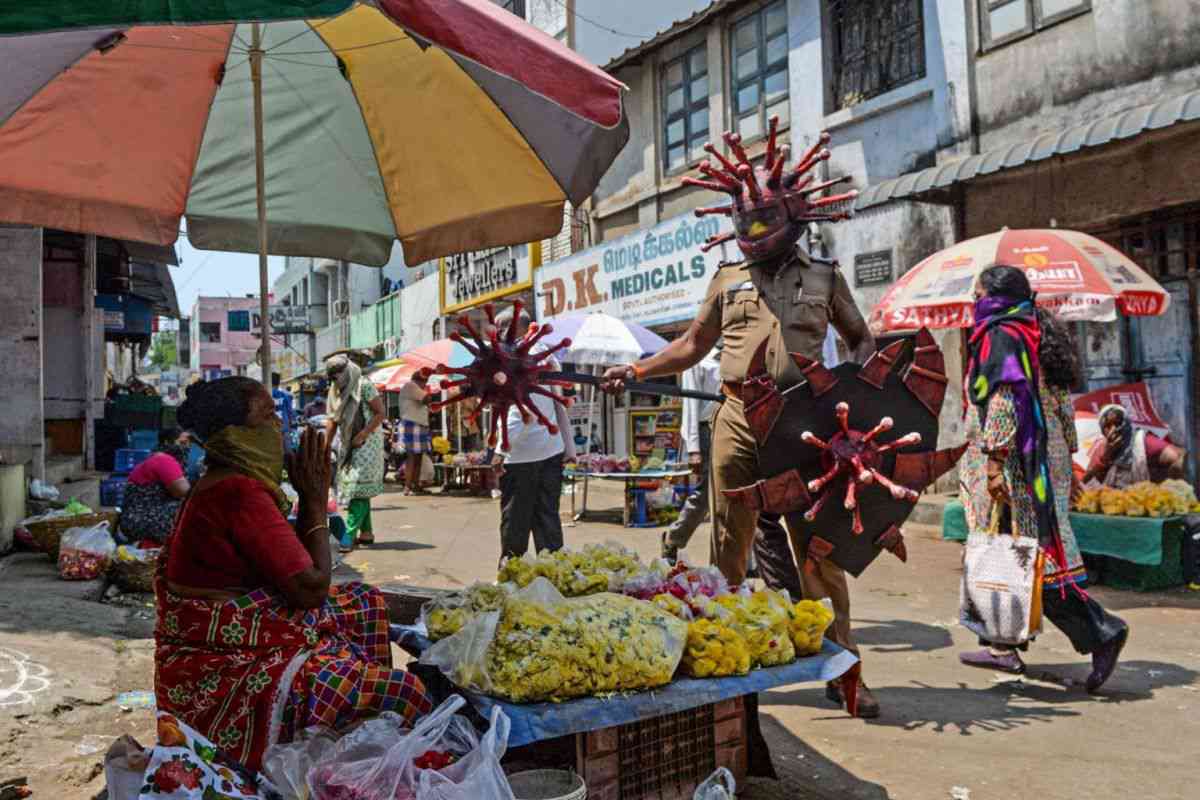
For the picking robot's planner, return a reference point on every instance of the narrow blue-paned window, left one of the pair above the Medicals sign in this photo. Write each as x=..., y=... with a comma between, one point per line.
x=686, y=109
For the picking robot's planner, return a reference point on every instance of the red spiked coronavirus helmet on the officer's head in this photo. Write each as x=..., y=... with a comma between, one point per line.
x=772, y=206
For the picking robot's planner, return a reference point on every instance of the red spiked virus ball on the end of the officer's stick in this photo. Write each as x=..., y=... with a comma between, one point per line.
x=505, y=372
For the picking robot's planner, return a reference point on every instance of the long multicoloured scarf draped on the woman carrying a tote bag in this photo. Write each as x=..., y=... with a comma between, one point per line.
x=1004, y=353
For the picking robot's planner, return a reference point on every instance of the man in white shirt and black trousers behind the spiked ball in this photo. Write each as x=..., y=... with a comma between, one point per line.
x=532, y=468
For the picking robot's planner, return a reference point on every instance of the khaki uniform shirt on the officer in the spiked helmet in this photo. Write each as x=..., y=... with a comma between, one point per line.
x=791, y=309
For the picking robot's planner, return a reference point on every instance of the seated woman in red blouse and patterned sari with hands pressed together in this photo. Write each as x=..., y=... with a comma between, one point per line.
x=253, y=643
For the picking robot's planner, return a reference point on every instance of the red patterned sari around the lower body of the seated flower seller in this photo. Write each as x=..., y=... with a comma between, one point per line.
x=250, y=672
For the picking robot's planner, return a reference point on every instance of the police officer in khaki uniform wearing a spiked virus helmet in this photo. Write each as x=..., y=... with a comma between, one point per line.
x=779, y=296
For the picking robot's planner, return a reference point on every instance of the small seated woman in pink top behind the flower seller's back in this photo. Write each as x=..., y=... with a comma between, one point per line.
x=155, y=490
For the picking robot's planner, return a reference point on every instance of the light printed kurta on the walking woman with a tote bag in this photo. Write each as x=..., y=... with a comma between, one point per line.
x=1000, y=434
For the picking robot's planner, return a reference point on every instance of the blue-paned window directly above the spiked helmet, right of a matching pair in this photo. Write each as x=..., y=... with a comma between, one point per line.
x=759, y=69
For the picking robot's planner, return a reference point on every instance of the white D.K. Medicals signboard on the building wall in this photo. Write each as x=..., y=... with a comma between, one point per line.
x=650, y=278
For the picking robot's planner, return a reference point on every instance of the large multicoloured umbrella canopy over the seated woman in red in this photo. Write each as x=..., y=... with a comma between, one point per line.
x=451, y=125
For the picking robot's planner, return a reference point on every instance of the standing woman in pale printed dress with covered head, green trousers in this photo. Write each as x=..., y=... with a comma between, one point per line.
x=356, y=414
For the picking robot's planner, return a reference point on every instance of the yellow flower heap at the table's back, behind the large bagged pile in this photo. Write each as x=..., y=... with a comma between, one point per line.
x=597, y=568
